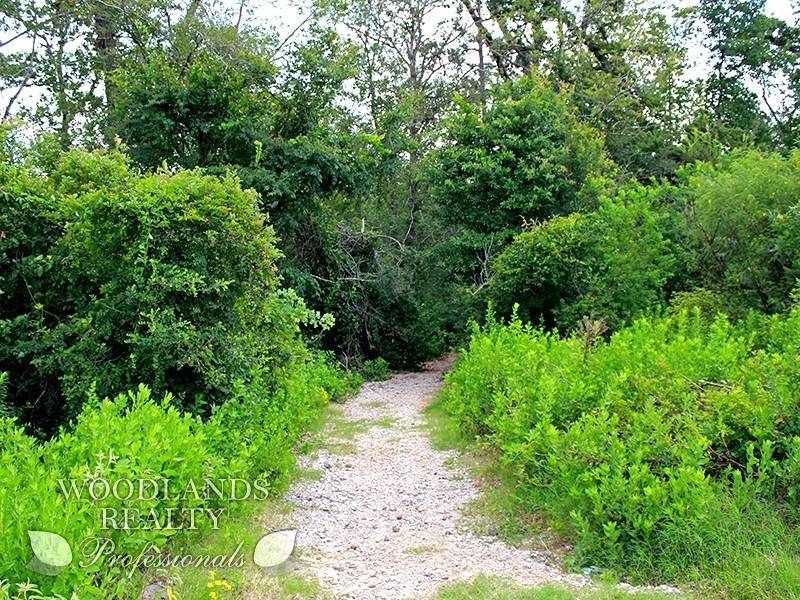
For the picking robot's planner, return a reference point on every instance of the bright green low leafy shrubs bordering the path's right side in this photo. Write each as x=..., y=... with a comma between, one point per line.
x=621, y=443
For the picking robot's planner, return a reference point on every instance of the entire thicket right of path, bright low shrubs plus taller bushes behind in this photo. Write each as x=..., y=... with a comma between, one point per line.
x=670, y=448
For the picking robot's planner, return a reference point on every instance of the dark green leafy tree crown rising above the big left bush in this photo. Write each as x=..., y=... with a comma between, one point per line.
x=195, y=116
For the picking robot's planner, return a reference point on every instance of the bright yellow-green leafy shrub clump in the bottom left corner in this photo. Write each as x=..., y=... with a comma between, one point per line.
x=129, y=437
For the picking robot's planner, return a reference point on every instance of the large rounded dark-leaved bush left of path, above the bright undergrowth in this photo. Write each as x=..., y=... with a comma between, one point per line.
x=111, y=278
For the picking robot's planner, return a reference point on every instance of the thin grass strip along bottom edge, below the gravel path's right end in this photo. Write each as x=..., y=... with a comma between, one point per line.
x=493, y=588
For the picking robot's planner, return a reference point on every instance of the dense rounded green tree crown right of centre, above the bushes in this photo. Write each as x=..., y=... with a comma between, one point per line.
x=525, y=157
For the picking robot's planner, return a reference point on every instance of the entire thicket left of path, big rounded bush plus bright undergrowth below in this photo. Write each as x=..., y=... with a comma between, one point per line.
x=164, y=284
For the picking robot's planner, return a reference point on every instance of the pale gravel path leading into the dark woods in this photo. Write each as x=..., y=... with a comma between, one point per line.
x=385, y=522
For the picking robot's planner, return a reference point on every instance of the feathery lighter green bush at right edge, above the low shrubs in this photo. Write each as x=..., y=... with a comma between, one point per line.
x=744, y=227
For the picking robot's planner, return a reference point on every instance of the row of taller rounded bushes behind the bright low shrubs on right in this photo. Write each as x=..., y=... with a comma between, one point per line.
x=730, y=229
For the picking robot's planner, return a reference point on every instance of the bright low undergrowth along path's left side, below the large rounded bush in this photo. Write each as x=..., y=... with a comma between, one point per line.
x=134, y=436
